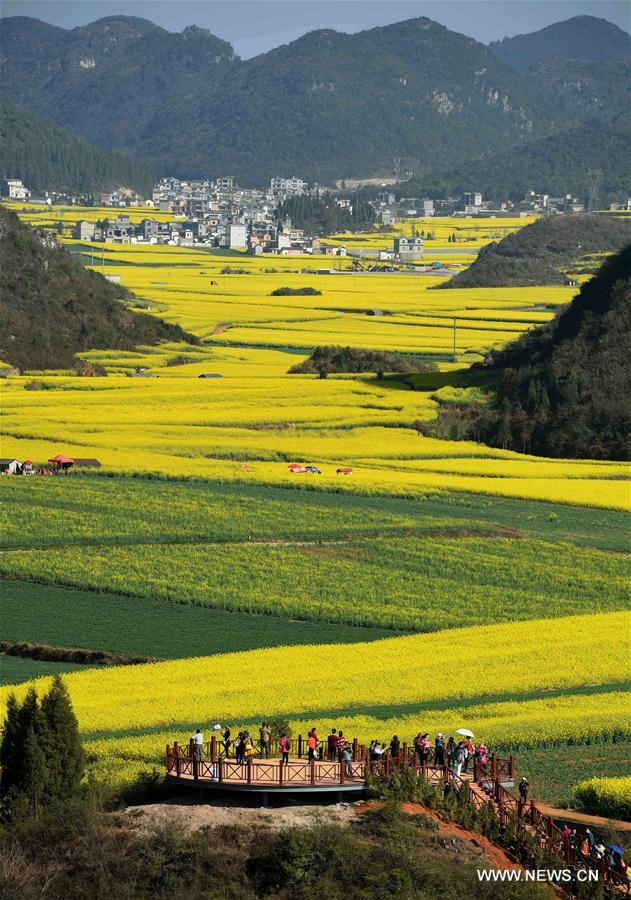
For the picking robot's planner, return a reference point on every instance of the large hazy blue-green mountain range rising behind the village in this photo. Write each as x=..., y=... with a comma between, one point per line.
x=326, y=105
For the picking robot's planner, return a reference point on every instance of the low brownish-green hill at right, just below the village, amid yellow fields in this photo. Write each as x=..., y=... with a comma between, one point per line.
x=541, y=252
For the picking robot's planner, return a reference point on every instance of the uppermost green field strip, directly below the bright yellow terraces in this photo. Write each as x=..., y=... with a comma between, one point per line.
x=89, y=509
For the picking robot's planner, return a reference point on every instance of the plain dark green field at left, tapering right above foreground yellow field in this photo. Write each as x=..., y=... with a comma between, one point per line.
x=135, y=626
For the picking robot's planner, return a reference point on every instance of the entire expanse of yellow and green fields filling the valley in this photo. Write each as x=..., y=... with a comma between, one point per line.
x=441, y=584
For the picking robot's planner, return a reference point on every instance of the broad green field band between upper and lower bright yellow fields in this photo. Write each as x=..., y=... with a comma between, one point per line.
x=321, y=558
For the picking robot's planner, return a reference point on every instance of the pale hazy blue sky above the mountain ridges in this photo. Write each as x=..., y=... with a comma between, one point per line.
x=253, y=27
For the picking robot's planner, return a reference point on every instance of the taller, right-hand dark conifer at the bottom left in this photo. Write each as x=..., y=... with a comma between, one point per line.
x=65, y=753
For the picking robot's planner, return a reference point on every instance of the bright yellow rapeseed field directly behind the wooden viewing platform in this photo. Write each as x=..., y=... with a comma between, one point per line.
x=380, y=679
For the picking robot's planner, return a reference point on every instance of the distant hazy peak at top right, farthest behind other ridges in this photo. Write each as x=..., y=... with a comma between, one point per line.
x=582, y=37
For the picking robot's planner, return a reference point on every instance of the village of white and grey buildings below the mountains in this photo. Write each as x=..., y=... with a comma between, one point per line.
x=220, y=214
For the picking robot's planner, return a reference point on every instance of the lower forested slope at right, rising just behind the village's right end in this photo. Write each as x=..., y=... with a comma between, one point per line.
x=556, y=165
